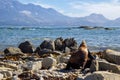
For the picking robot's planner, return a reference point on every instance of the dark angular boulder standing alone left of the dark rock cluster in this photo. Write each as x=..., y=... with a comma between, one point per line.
x=26, y=47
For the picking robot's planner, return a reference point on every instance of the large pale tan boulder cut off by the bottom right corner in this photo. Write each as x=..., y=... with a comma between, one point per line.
x=102, y=75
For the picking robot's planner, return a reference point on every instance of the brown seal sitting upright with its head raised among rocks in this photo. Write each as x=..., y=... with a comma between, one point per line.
x=81, y=58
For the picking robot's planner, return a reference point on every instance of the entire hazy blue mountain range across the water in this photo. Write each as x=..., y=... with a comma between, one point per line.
x=13, y=12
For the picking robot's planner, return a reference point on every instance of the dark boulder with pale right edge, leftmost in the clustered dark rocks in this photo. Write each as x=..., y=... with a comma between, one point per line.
x=48, y=44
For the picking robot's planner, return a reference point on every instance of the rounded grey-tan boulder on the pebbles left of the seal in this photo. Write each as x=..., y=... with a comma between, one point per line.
x=48, y=63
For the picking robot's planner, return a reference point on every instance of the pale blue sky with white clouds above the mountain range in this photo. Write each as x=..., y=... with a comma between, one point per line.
x=80, y=8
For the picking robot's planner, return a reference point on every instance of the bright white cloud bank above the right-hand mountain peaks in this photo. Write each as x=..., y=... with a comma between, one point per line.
x=110, y=10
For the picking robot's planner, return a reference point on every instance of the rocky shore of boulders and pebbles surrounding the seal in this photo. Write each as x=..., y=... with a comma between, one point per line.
x=49, y=59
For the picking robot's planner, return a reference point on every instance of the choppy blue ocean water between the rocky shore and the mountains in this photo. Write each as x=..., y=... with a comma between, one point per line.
x=97, y=39
